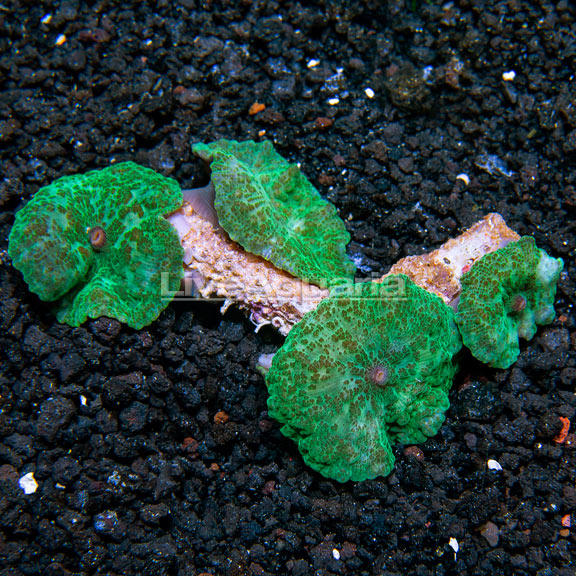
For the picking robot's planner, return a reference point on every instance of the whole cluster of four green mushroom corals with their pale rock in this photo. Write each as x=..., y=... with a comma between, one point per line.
x=364, y=365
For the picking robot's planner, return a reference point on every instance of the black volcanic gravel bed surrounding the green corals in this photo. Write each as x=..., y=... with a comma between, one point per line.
x=153, y=450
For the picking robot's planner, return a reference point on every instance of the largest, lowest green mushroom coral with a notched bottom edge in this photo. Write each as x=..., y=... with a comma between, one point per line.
x=360, y=373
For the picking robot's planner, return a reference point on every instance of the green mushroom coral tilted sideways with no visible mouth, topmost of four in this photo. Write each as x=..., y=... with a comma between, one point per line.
x=269, y=207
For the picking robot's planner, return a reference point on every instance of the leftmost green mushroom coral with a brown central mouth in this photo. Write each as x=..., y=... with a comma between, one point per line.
x=96, y=244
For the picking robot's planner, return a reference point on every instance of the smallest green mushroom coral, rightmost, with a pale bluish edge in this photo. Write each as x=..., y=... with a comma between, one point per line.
x=505, y=296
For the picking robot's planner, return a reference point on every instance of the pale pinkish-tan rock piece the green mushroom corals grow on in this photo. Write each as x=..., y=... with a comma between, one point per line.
x=220, y=268
